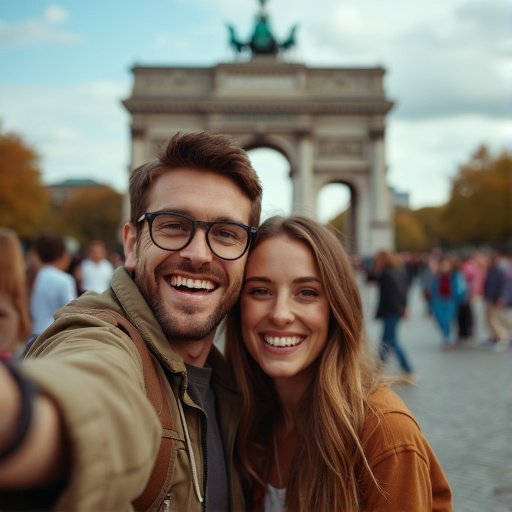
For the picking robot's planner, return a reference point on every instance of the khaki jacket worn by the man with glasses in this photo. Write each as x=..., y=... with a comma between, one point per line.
x=94, y=372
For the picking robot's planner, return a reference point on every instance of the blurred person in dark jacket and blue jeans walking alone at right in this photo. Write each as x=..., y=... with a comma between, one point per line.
x=389, y=272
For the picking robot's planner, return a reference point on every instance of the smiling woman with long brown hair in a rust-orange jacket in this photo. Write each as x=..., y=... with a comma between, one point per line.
x=319, y=429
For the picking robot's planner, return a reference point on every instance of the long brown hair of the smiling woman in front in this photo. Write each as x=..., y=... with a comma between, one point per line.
x=324, y=474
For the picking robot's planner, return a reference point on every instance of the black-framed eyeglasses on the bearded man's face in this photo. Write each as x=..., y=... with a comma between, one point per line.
x=173, y=231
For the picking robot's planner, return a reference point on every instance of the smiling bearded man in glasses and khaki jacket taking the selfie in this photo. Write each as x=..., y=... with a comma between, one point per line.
x=185, y=246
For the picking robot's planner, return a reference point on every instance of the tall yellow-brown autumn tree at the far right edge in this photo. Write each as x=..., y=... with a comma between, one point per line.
x=480, y=207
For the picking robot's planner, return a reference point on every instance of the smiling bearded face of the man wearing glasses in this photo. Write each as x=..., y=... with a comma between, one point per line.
x=189, y=290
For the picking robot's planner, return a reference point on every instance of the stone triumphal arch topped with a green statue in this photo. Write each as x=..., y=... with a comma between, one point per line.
x=329, y=123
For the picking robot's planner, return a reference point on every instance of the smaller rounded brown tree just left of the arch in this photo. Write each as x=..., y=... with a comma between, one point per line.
x=94, y=214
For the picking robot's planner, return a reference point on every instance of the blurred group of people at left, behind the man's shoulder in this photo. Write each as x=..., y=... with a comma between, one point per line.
x=38, y=280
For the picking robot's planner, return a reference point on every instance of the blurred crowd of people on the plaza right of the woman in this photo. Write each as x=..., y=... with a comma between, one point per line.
x=452, y=287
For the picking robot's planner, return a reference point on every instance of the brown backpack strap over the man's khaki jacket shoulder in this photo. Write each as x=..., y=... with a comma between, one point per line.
x=156, y=395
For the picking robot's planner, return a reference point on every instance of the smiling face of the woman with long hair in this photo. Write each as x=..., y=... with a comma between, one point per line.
x=285, y=311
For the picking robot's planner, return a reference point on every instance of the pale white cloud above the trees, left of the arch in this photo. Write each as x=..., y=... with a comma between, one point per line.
x=79, y=131
